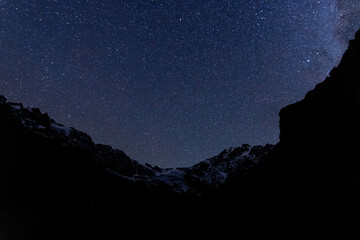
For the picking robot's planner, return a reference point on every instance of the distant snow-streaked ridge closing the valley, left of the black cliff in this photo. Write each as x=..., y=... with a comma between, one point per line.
x=206, y=175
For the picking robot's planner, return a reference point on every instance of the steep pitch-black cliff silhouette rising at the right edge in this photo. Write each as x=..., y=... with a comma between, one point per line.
x=315, y=169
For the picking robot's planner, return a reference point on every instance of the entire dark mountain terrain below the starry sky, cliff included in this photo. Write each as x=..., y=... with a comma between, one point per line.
x=55, y=183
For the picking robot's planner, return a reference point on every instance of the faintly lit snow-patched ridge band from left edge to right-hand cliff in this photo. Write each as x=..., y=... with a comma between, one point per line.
x=208, y=174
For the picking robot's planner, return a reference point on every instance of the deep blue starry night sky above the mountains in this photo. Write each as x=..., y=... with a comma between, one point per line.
x=170, y=82
